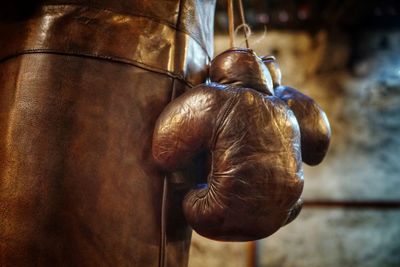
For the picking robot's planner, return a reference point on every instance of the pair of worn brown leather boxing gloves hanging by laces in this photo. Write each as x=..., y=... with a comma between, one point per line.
x=255, y=134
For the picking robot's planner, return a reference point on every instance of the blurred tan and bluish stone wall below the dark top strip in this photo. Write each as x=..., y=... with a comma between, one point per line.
x=356, y=79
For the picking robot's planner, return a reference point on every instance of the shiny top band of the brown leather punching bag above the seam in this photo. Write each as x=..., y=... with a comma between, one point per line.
x=176, y=46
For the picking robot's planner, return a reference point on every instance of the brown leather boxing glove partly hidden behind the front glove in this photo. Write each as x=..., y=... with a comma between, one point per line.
x=314, y=125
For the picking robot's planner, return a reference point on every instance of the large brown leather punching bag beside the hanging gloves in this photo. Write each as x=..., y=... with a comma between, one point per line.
x=81, y=86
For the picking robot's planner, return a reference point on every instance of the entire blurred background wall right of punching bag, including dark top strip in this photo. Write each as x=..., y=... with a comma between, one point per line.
x=346, y=55
